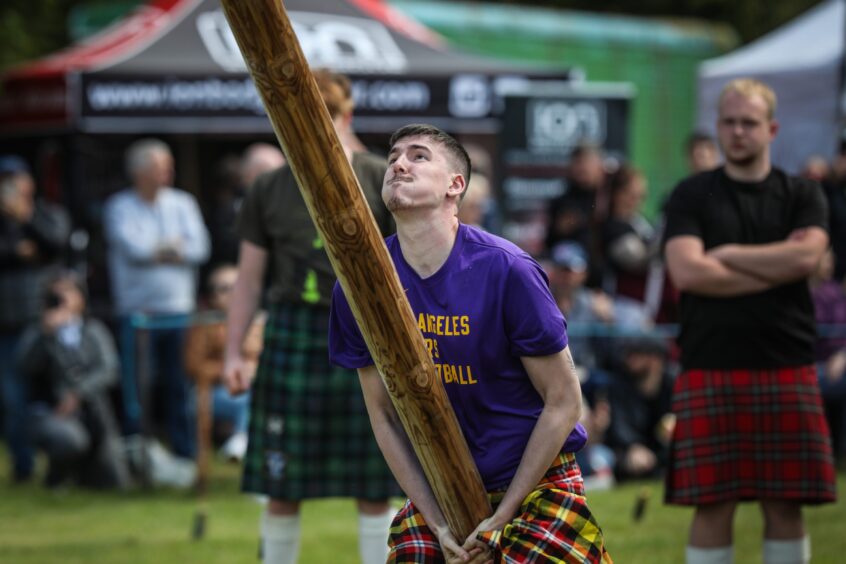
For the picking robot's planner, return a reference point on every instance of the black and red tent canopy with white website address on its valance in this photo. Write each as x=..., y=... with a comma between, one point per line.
x=172, y=66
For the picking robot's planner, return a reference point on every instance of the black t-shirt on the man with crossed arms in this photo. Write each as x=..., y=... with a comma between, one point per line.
x=770, y=329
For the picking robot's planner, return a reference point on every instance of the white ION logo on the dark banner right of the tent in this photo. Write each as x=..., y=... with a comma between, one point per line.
x=559, y=125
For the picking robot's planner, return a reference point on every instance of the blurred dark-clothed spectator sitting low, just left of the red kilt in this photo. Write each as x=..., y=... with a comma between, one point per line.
x=640, y=396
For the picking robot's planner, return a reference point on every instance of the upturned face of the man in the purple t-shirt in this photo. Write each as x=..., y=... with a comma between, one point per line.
x=419, y=175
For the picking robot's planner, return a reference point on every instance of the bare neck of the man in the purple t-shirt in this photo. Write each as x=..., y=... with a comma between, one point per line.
x=426, y=241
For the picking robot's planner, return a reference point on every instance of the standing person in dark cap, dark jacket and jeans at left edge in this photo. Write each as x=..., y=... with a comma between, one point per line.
x=33, y=237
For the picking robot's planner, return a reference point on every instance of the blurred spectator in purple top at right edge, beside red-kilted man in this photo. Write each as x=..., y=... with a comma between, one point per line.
x=830, y=313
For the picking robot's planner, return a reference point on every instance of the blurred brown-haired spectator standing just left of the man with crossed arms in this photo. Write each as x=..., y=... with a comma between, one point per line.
x=628, y=239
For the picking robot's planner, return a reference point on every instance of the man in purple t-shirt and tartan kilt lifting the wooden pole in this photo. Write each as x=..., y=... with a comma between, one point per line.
x=500, y=345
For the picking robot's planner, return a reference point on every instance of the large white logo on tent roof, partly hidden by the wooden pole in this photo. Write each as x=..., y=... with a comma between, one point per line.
x=341, y=43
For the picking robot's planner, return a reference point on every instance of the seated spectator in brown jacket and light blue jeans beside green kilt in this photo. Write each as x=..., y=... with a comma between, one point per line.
x=204, y=361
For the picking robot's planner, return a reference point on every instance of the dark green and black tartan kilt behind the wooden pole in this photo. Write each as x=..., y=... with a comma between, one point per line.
x=309, y=431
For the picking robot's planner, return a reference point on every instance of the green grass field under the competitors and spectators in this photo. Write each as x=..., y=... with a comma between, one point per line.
x=154, y=526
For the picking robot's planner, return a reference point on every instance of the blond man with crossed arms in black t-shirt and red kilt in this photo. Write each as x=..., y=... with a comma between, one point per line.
x=741, y=241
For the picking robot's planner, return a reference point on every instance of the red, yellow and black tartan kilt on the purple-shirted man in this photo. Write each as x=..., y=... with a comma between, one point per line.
x=554, y=525
